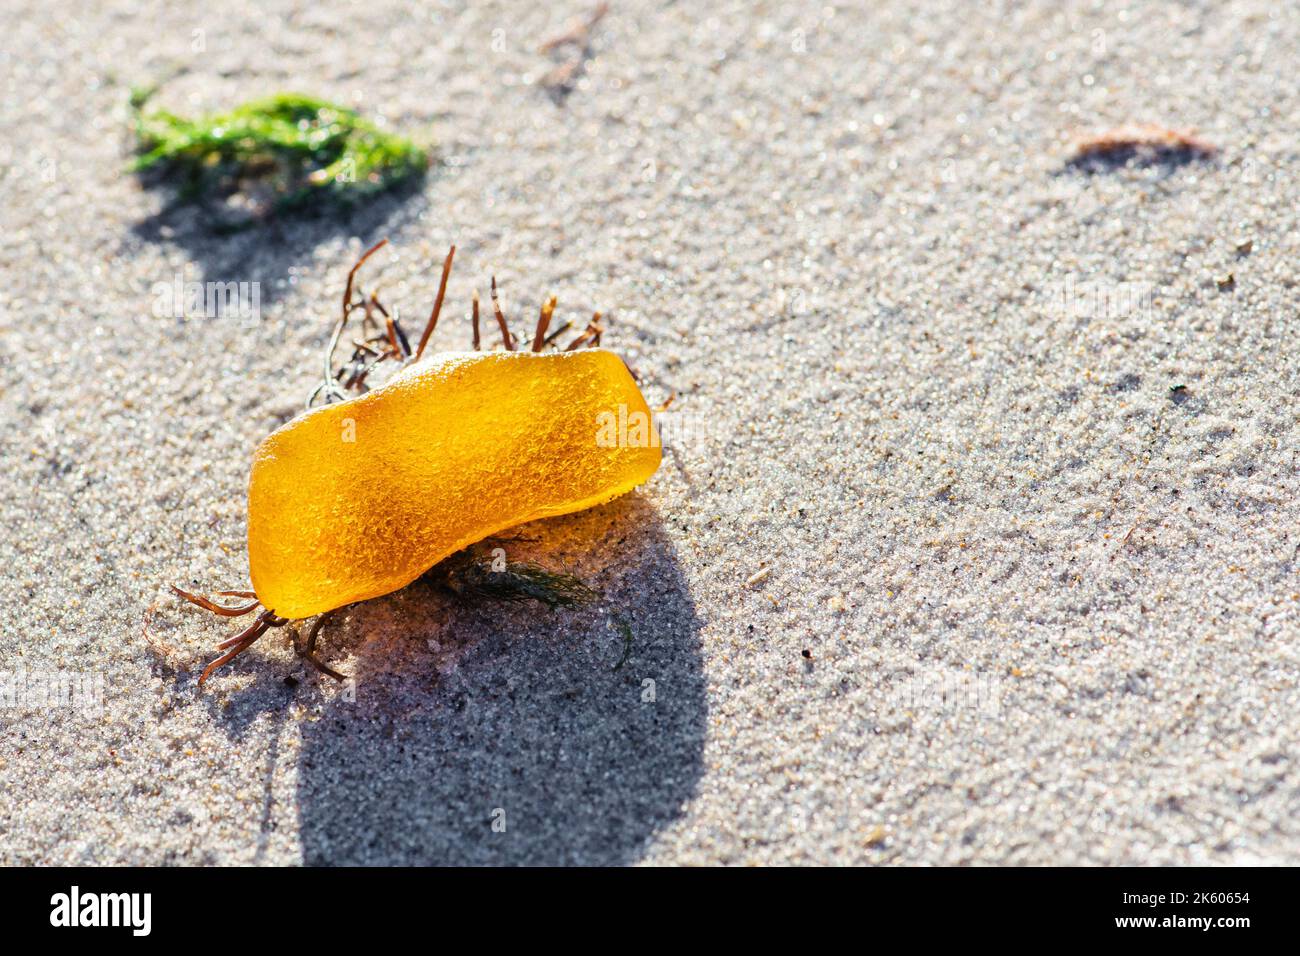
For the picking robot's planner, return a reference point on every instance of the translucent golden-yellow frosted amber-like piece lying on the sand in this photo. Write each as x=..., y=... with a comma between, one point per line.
x=359, y=499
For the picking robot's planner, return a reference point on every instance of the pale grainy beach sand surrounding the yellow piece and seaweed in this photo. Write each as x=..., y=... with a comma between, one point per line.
x=977, y=535
